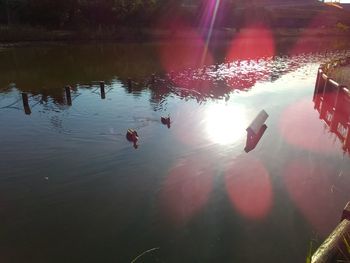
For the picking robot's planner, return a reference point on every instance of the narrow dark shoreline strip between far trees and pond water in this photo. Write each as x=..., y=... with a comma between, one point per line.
x=22, y=36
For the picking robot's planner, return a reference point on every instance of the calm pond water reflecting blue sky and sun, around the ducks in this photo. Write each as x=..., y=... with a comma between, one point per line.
x=73, y=189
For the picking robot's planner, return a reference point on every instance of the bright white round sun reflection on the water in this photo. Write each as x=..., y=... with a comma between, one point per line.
x=226, y=124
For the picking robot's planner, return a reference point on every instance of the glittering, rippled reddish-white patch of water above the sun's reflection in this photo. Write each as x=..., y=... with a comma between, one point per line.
x=218, y=81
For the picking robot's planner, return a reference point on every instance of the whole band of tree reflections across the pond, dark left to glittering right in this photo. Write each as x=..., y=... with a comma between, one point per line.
x=46, y=71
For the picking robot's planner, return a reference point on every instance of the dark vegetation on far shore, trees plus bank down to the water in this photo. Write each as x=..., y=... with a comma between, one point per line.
x=120, y=19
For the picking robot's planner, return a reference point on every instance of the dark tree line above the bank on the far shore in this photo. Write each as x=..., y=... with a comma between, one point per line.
x=80, y=14
